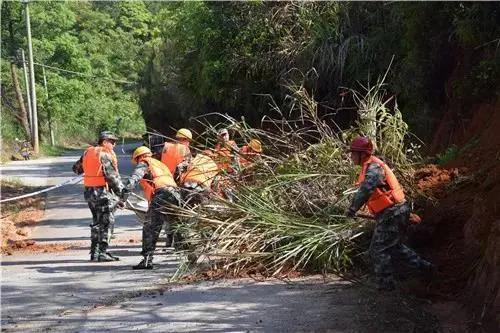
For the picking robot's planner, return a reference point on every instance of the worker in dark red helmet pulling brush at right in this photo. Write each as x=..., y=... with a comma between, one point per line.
x=381, y=192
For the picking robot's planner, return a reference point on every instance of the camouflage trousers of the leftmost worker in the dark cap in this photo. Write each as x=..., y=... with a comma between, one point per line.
x=102, y=204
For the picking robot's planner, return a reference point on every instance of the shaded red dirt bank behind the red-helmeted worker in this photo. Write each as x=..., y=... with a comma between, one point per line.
x=463, y=222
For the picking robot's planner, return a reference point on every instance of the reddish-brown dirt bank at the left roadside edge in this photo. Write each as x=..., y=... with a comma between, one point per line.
x=19, y=217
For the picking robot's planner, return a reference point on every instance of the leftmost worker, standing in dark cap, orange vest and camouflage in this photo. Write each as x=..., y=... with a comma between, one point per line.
x=102, y=186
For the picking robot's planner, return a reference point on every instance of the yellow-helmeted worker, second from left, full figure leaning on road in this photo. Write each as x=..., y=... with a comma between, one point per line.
x=161, y=191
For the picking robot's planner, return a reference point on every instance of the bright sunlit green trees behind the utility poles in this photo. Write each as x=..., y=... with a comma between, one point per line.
x=104, y=43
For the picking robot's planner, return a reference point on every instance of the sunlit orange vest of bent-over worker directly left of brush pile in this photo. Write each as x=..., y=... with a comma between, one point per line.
x=202, y=170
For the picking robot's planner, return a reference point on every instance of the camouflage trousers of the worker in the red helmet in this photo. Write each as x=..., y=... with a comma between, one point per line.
x=387, y=246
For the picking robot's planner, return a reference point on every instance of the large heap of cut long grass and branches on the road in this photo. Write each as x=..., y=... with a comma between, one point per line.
x=291, y=215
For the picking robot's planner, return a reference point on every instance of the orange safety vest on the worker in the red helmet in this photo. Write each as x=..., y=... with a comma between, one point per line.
x=386, y=195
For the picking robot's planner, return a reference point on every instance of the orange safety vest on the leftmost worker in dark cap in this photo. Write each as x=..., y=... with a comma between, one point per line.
x=92, y=166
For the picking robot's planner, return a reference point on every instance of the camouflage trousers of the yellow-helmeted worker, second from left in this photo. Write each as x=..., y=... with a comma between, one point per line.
x=158, y=216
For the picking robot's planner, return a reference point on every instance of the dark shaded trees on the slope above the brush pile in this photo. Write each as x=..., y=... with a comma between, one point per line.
x=224, y=56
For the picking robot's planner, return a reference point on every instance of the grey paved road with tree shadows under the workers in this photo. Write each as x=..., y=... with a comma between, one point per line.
x=64, y=292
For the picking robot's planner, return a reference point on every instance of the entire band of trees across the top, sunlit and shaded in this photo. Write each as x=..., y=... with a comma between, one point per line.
x=166, y=62
